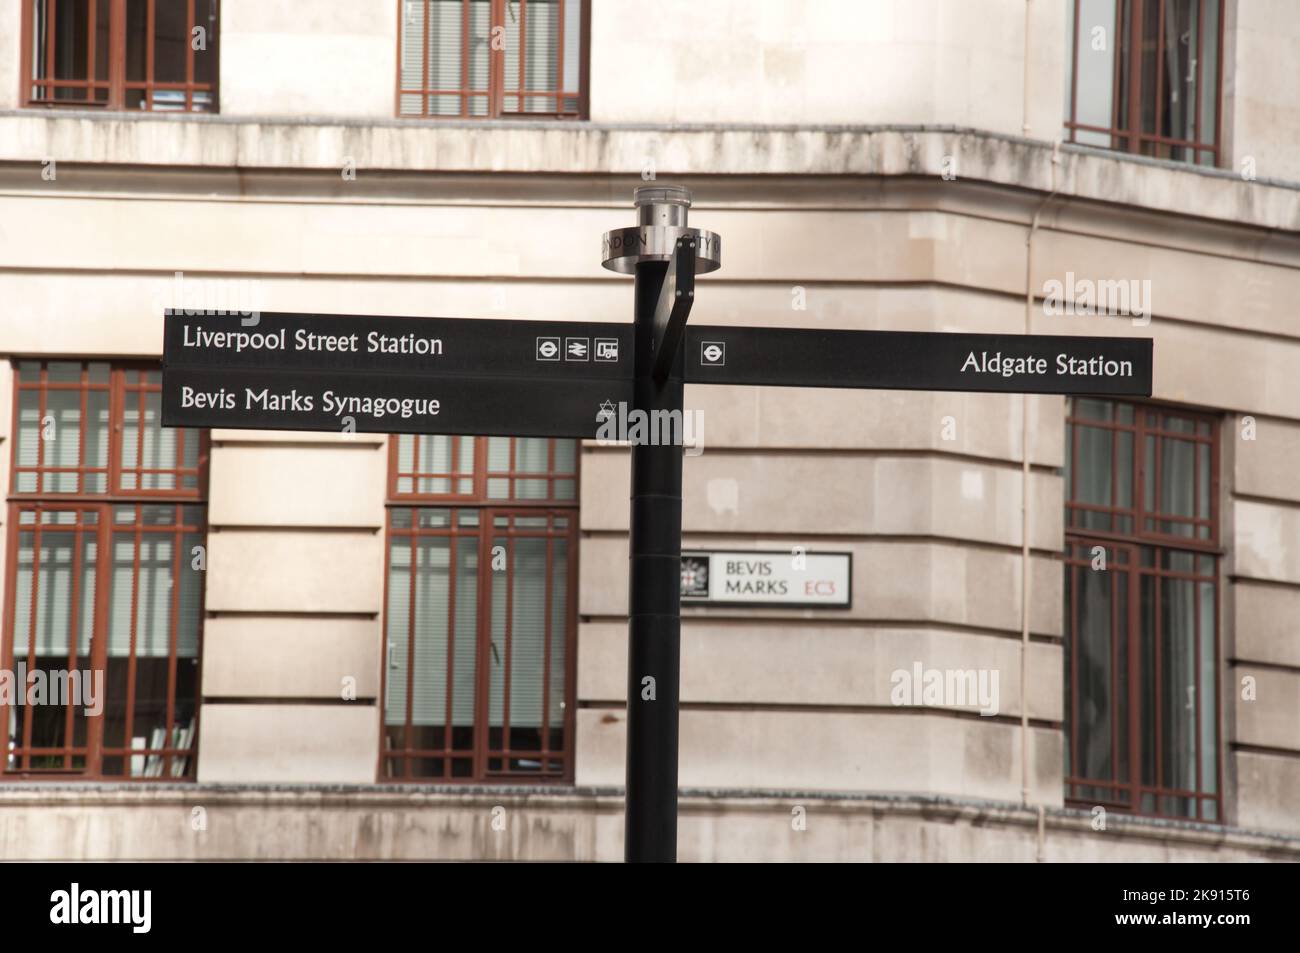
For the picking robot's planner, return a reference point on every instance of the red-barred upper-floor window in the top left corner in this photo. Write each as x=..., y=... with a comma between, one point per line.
x=157, y=55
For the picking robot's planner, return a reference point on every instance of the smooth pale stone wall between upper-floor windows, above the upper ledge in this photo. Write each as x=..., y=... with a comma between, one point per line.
x=837, y=63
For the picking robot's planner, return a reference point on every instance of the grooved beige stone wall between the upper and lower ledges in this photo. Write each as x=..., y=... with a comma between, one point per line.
x=773, y=699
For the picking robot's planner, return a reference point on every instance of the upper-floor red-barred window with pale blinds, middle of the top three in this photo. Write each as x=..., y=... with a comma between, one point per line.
x=487, y=59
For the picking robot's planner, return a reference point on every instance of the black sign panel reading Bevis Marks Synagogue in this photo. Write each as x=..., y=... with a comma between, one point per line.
x=341, y=402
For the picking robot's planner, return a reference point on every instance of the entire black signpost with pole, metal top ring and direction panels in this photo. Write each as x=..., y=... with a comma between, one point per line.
x=570, y=379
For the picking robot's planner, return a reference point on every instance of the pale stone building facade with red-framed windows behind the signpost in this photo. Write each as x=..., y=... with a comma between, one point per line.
x=933, y=166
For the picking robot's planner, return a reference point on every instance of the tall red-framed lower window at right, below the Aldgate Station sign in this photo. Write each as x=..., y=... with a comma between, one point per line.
x=1142, y=687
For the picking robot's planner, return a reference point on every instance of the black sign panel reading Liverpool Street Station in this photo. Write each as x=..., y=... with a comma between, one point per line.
x=430, y=346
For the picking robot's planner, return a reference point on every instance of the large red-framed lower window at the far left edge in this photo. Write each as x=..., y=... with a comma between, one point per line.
x=105, y=581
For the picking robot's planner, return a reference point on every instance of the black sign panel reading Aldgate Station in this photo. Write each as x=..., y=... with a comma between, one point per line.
x=920, y=361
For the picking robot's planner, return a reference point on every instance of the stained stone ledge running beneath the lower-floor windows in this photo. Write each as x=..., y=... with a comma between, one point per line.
x=346, y=824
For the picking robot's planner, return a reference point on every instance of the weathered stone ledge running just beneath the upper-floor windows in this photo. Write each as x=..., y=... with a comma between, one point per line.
x=622, y=149
